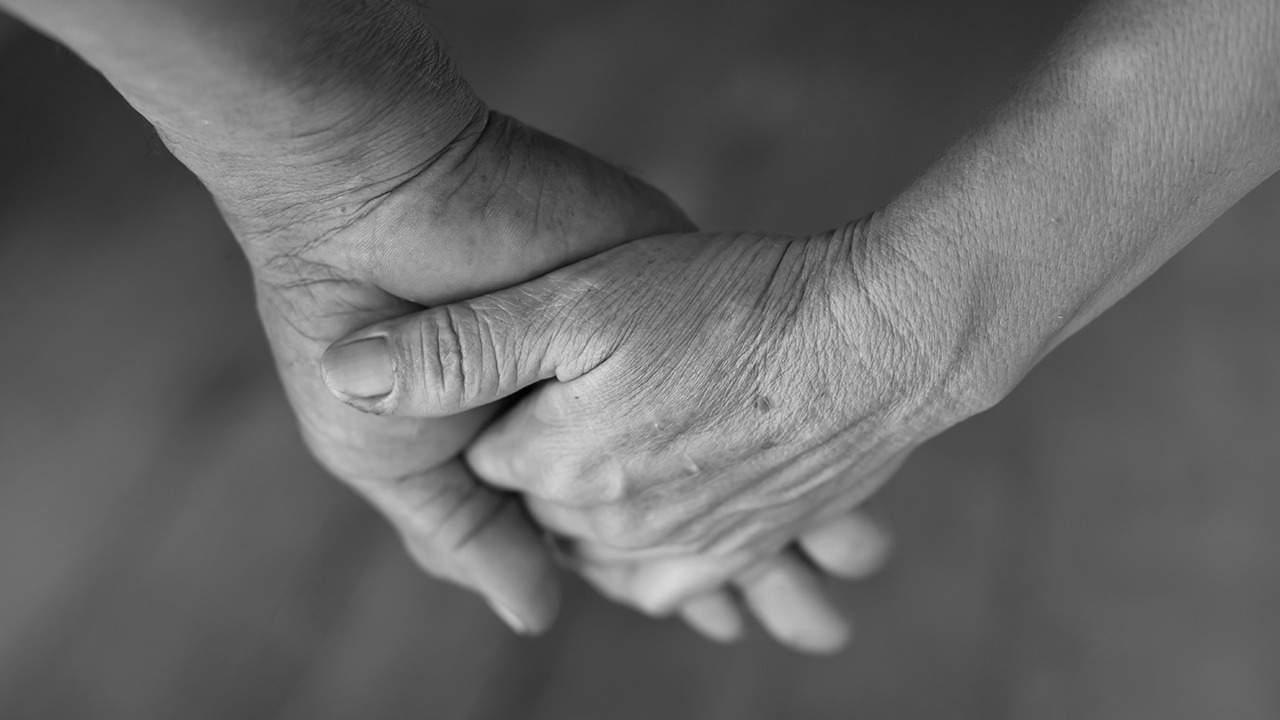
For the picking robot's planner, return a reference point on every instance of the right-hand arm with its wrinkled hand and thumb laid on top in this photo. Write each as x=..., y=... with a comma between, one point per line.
x=646, y=439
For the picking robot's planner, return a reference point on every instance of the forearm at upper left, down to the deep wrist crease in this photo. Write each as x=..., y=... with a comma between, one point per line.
x=358, y=92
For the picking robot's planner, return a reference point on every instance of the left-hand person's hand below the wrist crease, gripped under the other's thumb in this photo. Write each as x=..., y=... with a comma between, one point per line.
x=501, y=204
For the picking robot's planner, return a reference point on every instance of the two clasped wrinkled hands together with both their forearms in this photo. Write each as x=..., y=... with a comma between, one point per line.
x=697, y=412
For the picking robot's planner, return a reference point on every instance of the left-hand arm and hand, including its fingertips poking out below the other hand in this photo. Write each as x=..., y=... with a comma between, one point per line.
x=365, y=181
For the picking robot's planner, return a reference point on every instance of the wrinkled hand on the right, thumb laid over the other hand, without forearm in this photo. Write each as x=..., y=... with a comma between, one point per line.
x=708, y=398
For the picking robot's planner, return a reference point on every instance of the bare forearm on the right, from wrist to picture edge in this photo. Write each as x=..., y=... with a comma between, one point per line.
x=1146, y=124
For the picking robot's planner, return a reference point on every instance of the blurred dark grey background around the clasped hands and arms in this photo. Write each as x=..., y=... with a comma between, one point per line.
x=1105, y=544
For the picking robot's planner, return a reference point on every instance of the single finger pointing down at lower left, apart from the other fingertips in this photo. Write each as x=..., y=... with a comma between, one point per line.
x=459, y=530
